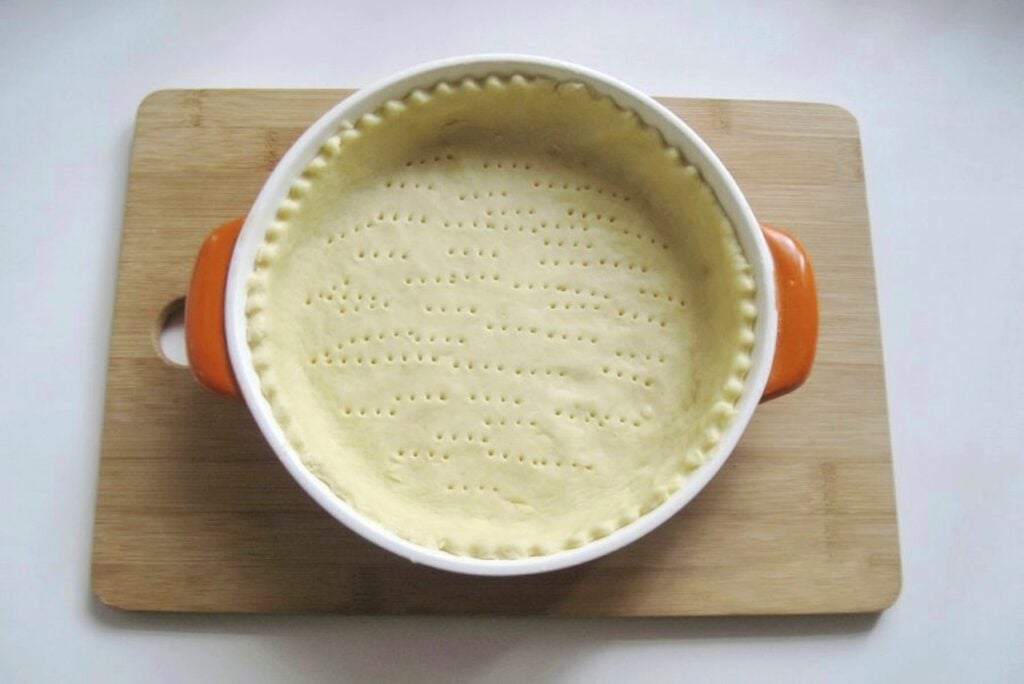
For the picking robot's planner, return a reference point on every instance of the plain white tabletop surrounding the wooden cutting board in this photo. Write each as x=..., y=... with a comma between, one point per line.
x=938, y=89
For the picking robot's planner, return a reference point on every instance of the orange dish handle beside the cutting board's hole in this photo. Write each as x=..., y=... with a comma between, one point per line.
x=205, y=339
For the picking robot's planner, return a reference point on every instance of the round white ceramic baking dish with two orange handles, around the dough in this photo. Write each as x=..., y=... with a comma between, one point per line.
x=785, y=336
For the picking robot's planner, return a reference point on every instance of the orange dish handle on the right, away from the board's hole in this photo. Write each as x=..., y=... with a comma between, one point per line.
x=797, y=301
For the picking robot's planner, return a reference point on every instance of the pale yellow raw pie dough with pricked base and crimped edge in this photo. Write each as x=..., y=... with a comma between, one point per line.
x=501, y=318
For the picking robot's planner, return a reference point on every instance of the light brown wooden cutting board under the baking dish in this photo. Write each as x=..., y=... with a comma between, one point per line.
x=195, y=512
